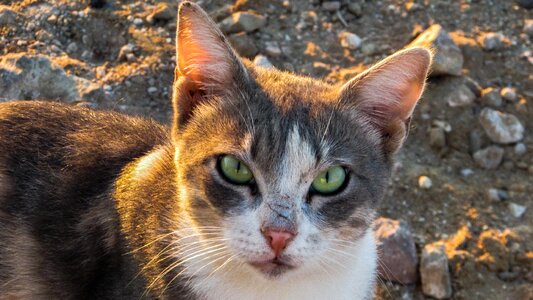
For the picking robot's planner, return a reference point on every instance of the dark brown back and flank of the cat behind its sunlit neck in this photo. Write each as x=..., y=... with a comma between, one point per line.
x=60, y=234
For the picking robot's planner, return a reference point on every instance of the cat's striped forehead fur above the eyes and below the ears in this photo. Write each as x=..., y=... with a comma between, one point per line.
x=262, y=120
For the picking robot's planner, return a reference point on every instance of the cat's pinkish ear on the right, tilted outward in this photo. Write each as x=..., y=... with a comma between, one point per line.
x=387, y=93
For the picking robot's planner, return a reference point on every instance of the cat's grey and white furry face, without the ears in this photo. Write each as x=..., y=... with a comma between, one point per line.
x=287, y=131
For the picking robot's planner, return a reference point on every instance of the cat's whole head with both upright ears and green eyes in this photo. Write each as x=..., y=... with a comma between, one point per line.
x=278, y=171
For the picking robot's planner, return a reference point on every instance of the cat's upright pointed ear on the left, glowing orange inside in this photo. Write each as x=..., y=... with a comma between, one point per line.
x=207, y=67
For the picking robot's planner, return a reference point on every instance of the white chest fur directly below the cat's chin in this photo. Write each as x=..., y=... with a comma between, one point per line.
x=352, y=278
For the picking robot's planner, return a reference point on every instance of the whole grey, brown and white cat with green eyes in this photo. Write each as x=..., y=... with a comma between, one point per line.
x=264, y=187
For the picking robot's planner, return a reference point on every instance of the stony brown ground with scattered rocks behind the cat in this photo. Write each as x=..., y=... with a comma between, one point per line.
x=457, y=217
